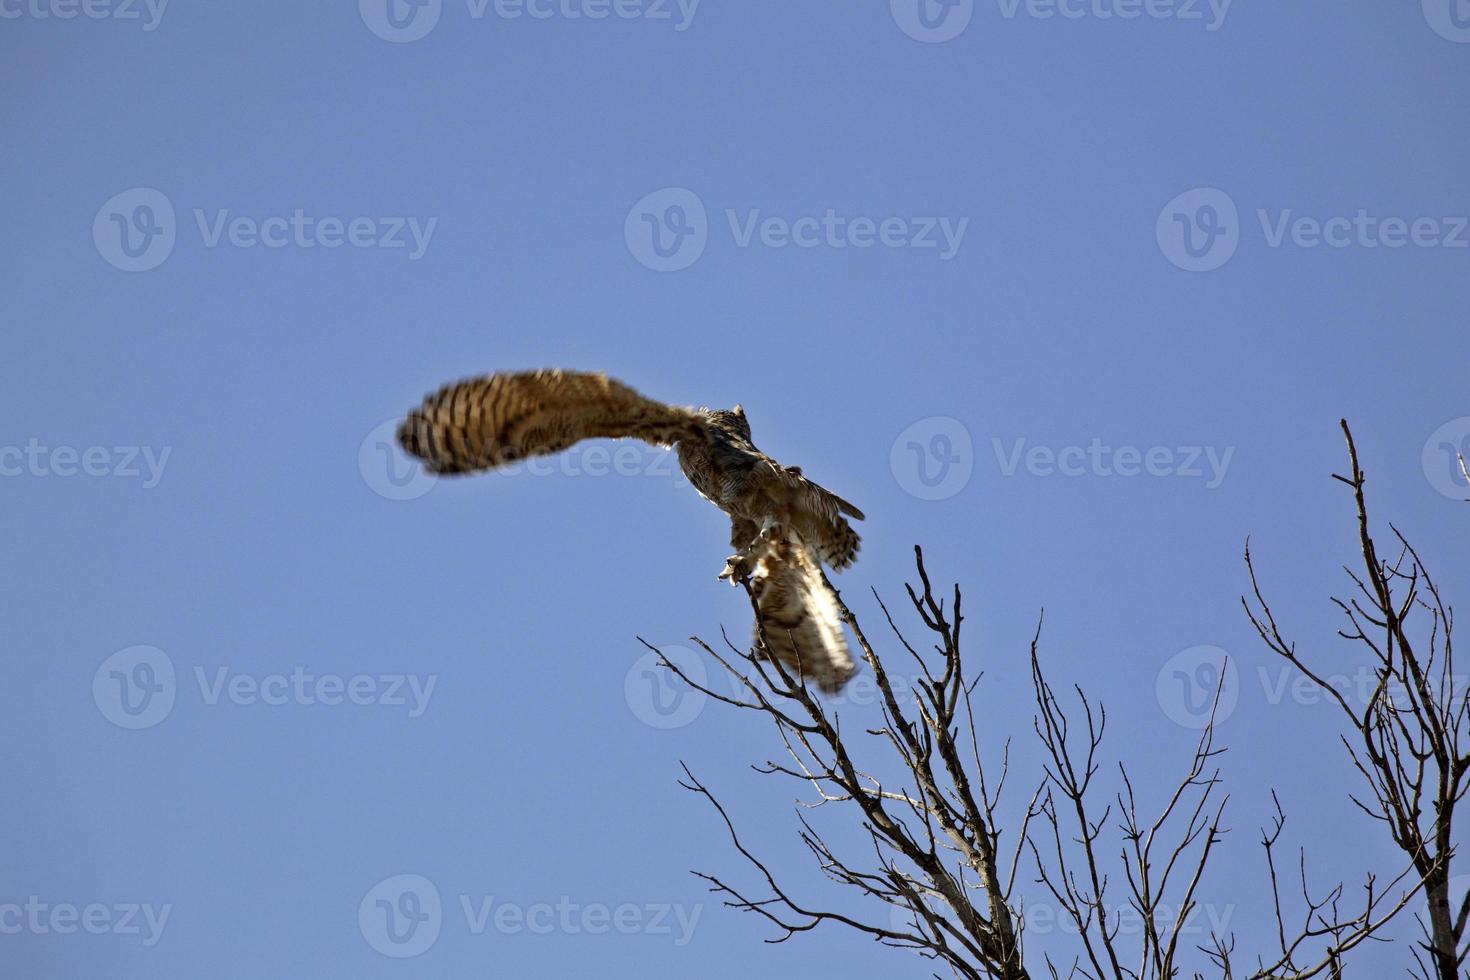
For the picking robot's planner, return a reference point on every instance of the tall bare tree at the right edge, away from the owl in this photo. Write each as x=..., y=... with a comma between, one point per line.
x=1410, y=740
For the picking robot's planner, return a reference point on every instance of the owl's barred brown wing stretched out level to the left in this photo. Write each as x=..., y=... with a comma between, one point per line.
x=486, y=422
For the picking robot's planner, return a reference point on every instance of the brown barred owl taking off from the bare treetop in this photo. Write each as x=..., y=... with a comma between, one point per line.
x=783, y=525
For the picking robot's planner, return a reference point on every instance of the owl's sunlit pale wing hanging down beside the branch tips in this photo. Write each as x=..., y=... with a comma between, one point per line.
x=799, y=618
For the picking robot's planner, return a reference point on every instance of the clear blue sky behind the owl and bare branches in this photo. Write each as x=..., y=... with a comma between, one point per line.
x=1116, y=278
